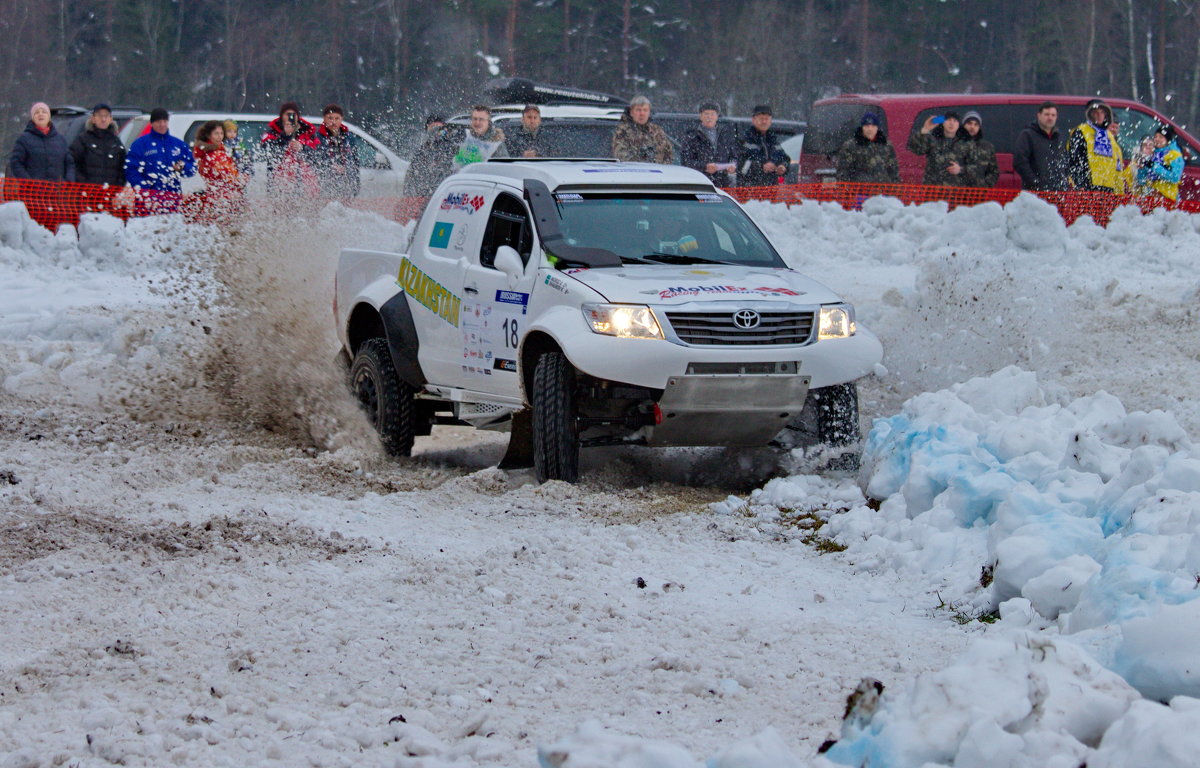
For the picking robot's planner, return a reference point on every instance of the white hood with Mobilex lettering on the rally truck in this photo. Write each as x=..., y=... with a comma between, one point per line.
x=670, y=285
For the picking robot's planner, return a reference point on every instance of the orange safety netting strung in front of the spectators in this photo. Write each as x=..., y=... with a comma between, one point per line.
x=53, y=203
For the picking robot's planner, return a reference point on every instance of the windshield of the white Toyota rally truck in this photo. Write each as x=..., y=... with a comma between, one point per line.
x=665, y=229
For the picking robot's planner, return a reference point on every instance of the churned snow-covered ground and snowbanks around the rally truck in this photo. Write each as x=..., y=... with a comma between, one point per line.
x=207, y=562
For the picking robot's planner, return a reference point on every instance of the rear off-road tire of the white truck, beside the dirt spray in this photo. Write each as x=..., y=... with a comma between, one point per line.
x=389, y=403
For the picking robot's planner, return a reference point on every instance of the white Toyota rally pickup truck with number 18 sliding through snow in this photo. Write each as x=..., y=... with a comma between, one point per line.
x=596, y=303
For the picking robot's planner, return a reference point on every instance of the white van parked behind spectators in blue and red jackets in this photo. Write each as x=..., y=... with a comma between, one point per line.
x=381, y=171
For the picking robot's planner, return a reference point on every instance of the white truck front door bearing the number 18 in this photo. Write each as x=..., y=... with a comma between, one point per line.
x=495, y=307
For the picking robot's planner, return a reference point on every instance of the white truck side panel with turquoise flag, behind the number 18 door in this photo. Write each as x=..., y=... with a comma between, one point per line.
x=449, y=233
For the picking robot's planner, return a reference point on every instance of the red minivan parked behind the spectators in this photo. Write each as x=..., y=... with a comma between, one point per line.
x=833, y=121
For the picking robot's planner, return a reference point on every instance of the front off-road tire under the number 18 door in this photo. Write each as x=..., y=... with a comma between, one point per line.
x=556, y=435
